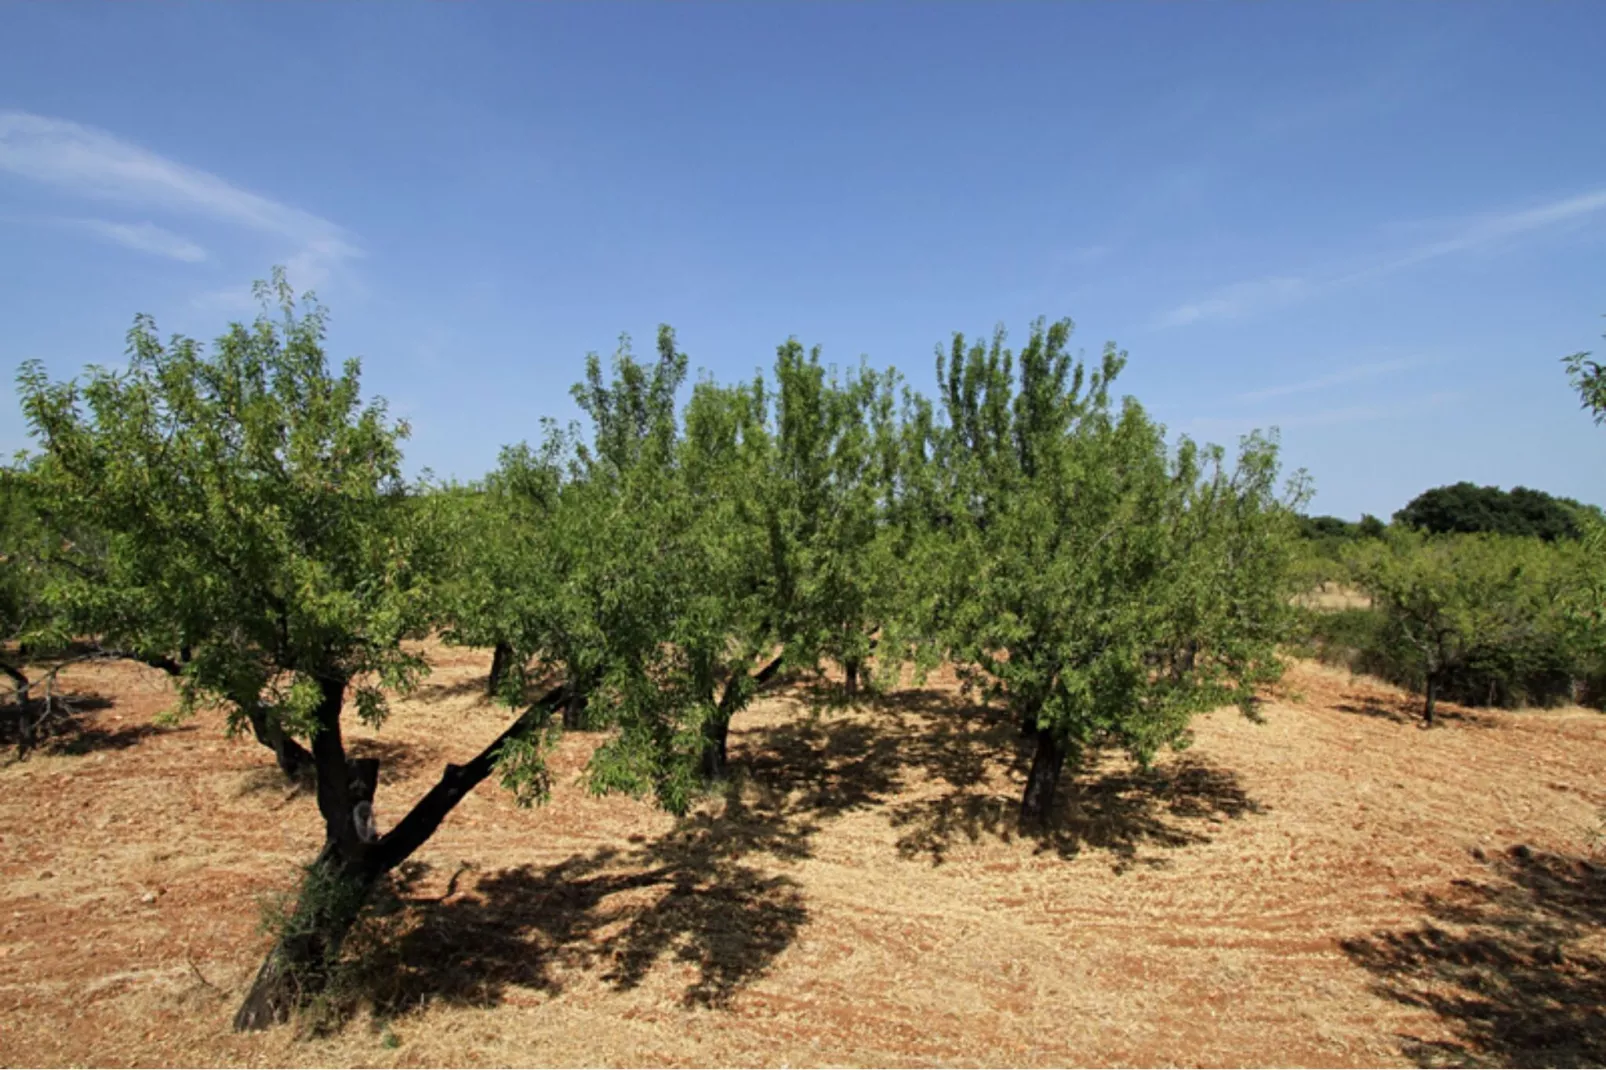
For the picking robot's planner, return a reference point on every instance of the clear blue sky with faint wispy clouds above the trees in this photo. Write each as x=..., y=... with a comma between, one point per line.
x=1377, y=227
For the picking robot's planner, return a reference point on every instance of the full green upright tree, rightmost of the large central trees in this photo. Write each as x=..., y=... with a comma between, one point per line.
x=1107, y=587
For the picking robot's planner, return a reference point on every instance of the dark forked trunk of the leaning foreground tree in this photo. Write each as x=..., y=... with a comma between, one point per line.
x=354, y=859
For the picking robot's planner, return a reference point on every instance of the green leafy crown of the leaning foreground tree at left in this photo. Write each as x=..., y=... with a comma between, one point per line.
x=250, y=510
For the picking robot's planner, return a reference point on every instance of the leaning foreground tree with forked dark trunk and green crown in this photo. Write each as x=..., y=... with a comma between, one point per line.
x=256, y=517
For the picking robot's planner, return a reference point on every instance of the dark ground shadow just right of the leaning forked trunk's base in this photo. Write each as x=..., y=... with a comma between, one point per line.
x=683, y=899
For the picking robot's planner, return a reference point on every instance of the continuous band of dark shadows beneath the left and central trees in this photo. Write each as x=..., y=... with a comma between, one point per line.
x=706, y=897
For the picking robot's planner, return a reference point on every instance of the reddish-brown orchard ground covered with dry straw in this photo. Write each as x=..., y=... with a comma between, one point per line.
x=1332, y=888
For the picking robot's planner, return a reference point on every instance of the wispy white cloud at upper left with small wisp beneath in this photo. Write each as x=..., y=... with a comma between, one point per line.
x=89, y=163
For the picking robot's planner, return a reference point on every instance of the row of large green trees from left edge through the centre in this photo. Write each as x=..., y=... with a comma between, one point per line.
x=238, y=520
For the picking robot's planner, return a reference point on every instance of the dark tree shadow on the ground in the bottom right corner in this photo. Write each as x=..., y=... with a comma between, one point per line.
x=1512, y=963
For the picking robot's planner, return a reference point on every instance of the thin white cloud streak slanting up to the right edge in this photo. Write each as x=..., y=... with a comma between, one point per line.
x=1242, y=300
